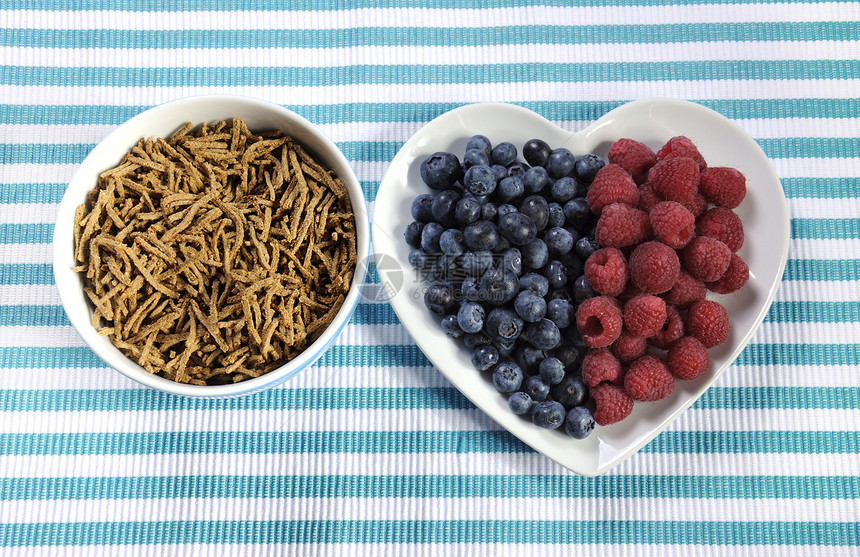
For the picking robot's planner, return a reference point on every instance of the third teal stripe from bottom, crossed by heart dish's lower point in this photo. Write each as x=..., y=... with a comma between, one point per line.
x=403, y=442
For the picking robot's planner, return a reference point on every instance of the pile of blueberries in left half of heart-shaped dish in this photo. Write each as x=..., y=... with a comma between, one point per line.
x=502, y=244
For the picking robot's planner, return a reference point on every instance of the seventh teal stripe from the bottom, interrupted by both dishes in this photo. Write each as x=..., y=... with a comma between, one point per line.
x=795, y=269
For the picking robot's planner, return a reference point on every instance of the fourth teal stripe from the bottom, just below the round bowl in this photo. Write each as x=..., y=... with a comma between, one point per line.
x=384, y=398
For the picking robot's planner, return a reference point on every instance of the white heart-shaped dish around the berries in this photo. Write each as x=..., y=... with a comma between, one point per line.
x=764, y=213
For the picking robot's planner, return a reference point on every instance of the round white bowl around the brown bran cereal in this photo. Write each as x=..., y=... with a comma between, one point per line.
x=163, y=121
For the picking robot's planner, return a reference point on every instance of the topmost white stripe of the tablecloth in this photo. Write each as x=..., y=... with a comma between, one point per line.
x=425, y=17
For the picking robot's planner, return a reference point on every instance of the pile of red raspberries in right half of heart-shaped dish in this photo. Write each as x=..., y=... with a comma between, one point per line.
x=668, y=234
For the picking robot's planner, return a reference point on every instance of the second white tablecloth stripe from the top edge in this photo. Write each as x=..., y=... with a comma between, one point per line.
x=395, y=55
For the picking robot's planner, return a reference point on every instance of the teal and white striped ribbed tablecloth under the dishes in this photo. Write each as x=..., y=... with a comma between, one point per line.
x=372, y=452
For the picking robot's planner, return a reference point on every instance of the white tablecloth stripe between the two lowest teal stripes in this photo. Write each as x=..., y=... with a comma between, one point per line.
x=417, y=508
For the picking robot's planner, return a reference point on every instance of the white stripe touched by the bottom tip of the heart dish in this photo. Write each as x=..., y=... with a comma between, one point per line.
x=400, y=464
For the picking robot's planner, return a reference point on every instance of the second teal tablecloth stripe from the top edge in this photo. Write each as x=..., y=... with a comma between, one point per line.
x=430, y=36
